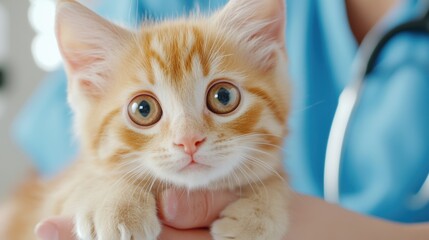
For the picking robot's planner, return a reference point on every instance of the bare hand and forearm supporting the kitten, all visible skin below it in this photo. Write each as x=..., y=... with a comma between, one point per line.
x=188, y=217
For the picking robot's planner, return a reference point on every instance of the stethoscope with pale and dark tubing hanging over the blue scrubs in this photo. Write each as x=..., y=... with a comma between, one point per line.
x=348, y=101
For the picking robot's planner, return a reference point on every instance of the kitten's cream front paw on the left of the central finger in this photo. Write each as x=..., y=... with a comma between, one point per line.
x=118, y=221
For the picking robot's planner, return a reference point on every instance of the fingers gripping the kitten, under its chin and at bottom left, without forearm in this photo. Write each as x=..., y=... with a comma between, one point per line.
x=185, y=216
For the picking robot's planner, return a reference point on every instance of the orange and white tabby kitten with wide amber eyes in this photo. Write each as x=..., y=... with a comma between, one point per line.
x=196, y=103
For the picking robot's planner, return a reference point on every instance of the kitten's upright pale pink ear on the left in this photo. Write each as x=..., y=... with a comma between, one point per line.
x=88, y=44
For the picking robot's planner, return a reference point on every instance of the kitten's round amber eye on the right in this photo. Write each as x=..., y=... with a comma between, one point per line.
x=223, y=98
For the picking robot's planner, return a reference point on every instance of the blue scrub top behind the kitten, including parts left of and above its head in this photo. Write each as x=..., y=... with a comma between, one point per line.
x=386, y=155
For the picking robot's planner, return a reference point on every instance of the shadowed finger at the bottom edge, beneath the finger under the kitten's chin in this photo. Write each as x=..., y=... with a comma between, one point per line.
x=174, y=234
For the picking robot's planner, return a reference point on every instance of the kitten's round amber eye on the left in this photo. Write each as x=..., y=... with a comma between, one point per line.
x=144, y=110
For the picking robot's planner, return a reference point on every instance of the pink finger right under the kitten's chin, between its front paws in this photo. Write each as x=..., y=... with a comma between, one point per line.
x=183, y=210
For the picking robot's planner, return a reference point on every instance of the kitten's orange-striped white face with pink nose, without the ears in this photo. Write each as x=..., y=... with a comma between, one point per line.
x=187, y=103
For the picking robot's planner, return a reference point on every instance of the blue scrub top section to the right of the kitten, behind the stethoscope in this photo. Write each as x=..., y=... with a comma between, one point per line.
x=386, y=156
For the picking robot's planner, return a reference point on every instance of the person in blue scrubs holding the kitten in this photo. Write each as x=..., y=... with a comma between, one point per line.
x=385, y=158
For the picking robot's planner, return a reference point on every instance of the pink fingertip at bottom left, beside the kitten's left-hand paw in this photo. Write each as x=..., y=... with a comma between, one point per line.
x=56, y=228
